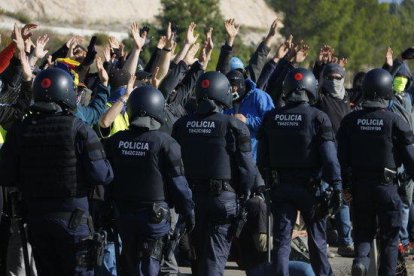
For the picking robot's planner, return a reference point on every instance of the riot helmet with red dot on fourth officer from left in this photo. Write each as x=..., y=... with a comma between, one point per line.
x=300, y=85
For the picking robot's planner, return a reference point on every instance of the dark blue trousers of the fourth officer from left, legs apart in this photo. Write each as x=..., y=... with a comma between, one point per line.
x=288, y=198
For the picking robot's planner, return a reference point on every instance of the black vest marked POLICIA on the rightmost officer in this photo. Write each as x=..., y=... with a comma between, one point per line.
x=371, y=140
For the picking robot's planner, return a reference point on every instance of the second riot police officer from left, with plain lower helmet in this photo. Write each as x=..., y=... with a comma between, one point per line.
x=148, y=177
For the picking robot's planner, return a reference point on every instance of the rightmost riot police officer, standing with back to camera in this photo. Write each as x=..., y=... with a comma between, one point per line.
x=372, y=144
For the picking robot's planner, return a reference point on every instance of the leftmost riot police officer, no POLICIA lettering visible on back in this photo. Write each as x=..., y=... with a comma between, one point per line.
x=54, y=159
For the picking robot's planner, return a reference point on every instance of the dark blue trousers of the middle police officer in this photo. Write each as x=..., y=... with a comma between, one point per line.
x=210, y=236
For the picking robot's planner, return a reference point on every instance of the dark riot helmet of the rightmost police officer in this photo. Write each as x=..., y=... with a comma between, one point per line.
x=377, y=84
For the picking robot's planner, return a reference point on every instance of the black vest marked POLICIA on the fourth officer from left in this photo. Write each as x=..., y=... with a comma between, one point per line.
x=292, y=137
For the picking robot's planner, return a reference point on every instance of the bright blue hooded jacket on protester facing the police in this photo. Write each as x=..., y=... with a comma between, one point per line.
x=253, y=106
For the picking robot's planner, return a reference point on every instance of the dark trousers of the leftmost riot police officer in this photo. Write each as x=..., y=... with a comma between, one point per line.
x=56, y=248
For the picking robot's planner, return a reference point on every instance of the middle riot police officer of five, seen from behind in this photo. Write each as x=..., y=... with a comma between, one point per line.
x=217, y=160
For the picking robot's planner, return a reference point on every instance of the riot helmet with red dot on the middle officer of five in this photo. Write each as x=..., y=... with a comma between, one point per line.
x=214, y=86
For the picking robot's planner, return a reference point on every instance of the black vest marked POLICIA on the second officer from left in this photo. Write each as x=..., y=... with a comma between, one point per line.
x=138, y=161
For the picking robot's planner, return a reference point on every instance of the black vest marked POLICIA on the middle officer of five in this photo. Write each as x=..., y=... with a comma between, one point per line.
x=205, y=145
